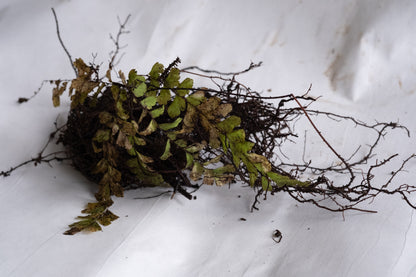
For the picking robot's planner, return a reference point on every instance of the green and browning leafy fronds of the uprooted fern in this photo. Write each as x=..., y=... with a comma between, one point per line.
x=150, y=122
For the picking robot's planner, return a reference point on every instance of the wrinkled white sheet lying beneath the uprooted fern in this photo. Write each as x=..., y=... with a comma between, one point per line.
x=360, y=57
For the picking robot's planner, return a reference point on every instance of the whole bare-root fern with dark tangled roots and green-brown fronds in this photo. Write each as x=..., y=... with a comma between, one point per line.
x=158, y=129
